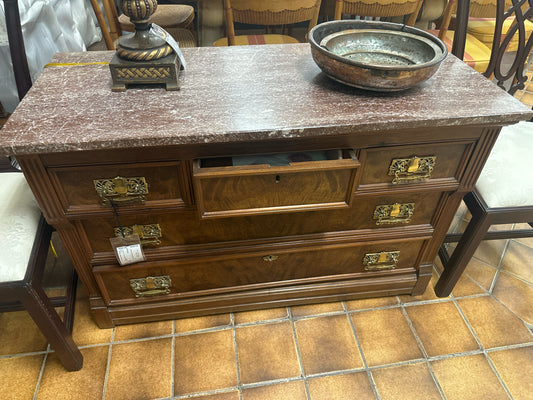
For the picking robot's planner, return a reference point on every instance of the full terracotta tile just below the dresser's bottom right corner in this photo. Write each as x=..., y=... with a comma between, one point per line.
x=441, y=328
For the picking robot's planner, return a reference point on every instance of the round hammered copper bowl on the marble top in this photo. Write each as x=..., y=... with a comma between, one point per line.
x=375, y=55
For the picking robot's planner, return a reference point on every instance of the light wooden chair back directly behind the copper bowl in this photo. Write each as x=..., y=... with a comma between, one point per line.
x=379, y=9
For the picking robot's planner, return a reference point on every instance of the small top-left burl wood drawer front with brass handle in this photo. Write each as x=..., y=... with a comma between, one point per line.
x=90, y=188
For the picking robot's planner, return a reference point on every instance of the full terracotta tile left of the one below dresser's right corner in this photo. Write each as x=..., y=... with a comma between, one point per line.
x=385, y=336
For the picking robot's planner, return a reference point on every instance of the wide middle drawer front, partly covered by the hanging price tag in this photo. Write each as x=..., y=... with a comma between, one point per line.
x=184, y=228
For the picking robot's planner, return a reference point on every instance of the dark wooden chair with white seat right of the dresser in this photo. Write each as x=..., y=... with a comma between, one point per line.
x=504, y=190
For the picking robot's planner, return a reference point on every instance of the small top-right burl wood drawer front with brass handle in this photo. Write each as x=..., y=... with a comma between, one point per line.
x=400, y=165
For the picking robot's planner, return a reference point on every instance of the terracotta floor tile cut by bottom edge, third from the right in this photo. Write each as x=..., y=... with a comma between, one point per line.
x=406, y=382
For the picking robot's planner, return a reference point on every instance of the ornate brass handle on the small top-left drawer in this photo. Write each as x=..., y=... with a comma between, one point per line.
x=121, y=190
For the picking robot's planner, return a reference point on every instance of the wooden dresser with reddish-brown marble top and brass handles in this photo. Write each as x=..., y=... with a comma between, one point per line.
x=261, y=183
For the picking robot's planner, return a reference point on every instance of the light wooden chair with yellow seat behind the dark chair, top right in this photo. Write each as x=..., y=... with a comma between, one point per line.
x=480, y=31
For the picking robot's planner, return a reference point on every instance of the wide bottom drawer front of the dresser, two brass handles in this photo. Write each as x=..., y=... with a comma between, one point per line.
x=156, y=281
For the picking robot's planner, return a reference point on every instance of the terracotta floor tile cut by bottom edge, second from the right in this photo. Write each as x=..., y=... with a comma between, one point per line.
x=468, y=378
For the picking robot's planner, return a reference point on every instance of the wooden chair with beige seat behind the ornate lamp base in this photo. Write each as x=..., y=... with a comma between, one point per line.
x=176, y=19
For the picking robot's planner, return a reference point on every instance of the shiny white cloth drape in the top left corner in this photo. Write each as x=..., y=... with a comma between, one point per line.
x=48, y=27
